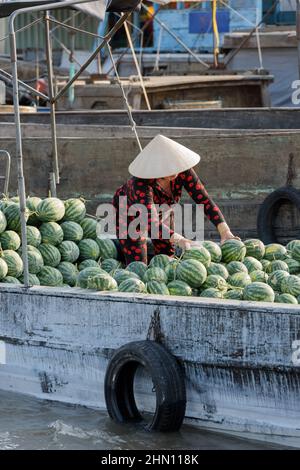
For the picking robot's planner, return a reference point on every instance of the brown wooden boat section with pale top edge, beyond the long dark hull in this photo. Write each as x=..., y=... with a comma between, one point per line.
x=233, y=91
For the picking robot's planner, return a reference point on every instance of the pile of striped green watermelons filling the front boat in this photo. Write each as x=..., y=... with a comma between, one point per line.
x=64, y=250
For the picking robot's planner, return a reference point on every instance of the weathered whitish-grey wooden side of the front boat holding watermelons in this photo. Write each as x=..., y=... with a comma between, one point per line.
x=238, y=357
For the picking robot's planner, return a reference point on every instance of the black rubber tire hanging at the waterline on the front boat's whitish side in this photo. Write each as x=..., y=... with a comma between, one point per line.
x=167, y=377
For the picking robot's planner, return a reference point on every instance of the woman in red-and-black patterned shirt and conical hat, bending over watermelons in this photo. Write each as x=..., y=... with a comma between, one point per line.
x=160, y=172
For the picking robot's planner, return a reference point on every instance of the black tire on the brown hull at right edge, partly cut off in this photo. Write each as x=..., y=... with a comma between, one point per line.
x=269, y=209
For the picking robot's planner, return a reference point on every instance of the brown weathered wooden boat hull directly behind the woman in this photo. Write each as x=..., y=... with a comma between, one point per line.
x=239, y=168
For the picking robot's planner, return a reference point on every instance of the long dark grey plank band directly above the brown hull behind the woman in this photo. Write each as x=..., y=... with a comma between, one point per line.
x=256, y=118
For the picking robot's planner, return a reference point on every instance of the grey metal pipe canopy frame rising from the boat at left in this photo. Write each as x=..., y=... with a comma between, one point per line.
x=52, y=98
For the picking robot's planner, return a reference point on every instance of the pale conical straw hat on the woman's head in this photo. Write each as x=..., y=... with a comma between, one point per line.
x=162, y=157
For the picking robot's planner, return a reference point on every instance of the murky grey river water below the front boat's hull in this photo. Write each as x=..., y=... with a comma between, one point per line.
x=29, y=423
